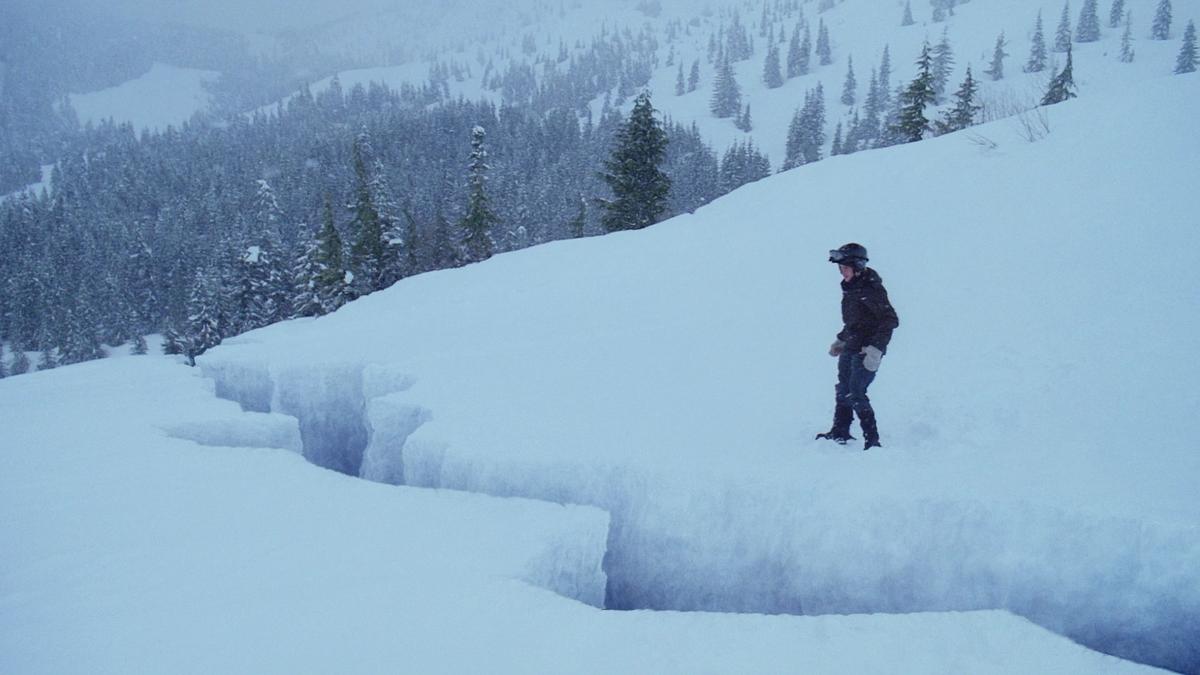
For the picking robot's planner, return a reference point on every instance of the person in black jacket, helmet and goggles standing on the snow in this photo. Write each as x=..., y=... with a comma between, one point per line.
x=868, y=321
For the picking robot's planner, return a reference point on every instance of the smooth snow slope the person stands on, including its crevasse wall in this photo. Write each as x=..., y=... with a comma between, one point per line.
x=1036, y=459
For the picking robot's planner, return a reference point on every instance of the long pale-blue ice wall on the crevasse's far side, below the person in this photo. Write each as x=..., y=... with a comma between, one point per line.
x=693, y=540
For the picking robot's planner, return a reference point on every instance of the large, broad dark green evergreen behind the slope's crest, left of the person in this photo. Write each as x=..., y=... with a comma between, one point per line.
x=640, y=189
